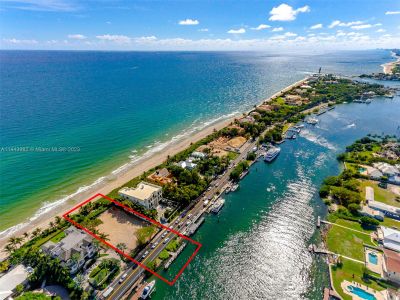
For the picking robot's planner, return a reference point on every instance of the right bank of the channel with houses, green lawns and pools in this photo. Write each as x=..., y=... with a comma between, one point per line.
x=362, y=231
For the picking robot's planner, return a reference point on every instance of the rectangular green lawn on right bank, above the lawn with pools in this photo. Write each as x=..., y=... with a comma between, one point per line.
x=347, y=242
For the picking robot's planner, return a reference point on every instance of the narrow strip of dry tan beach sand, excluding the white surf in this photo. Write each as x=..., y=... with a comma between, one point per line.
x=137, y=169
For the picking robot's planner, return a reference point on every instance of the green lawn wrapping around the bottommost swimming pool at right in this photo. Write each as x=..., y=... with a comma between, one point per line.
x=346, y=272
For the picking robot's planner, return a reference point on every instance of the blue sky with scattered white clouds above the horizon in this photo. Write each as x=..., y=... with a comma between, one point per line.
x=199, y=25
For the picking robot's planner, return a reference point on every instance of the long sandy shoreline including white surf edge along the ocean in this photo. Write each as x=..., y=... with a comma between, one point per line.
x=144, y=163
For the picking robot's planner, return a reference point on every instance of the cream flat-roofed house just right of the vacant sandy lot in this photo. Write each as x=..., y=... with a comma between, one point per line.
x=145, y=194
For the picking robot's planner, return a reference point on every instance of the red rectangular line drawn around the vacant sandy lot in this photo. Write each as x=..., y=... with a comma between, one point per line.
x=66, y=217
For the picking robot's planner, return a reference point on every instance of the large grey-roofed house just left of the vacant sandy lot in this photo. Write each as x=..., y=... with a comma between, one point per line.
x=73, y=250
